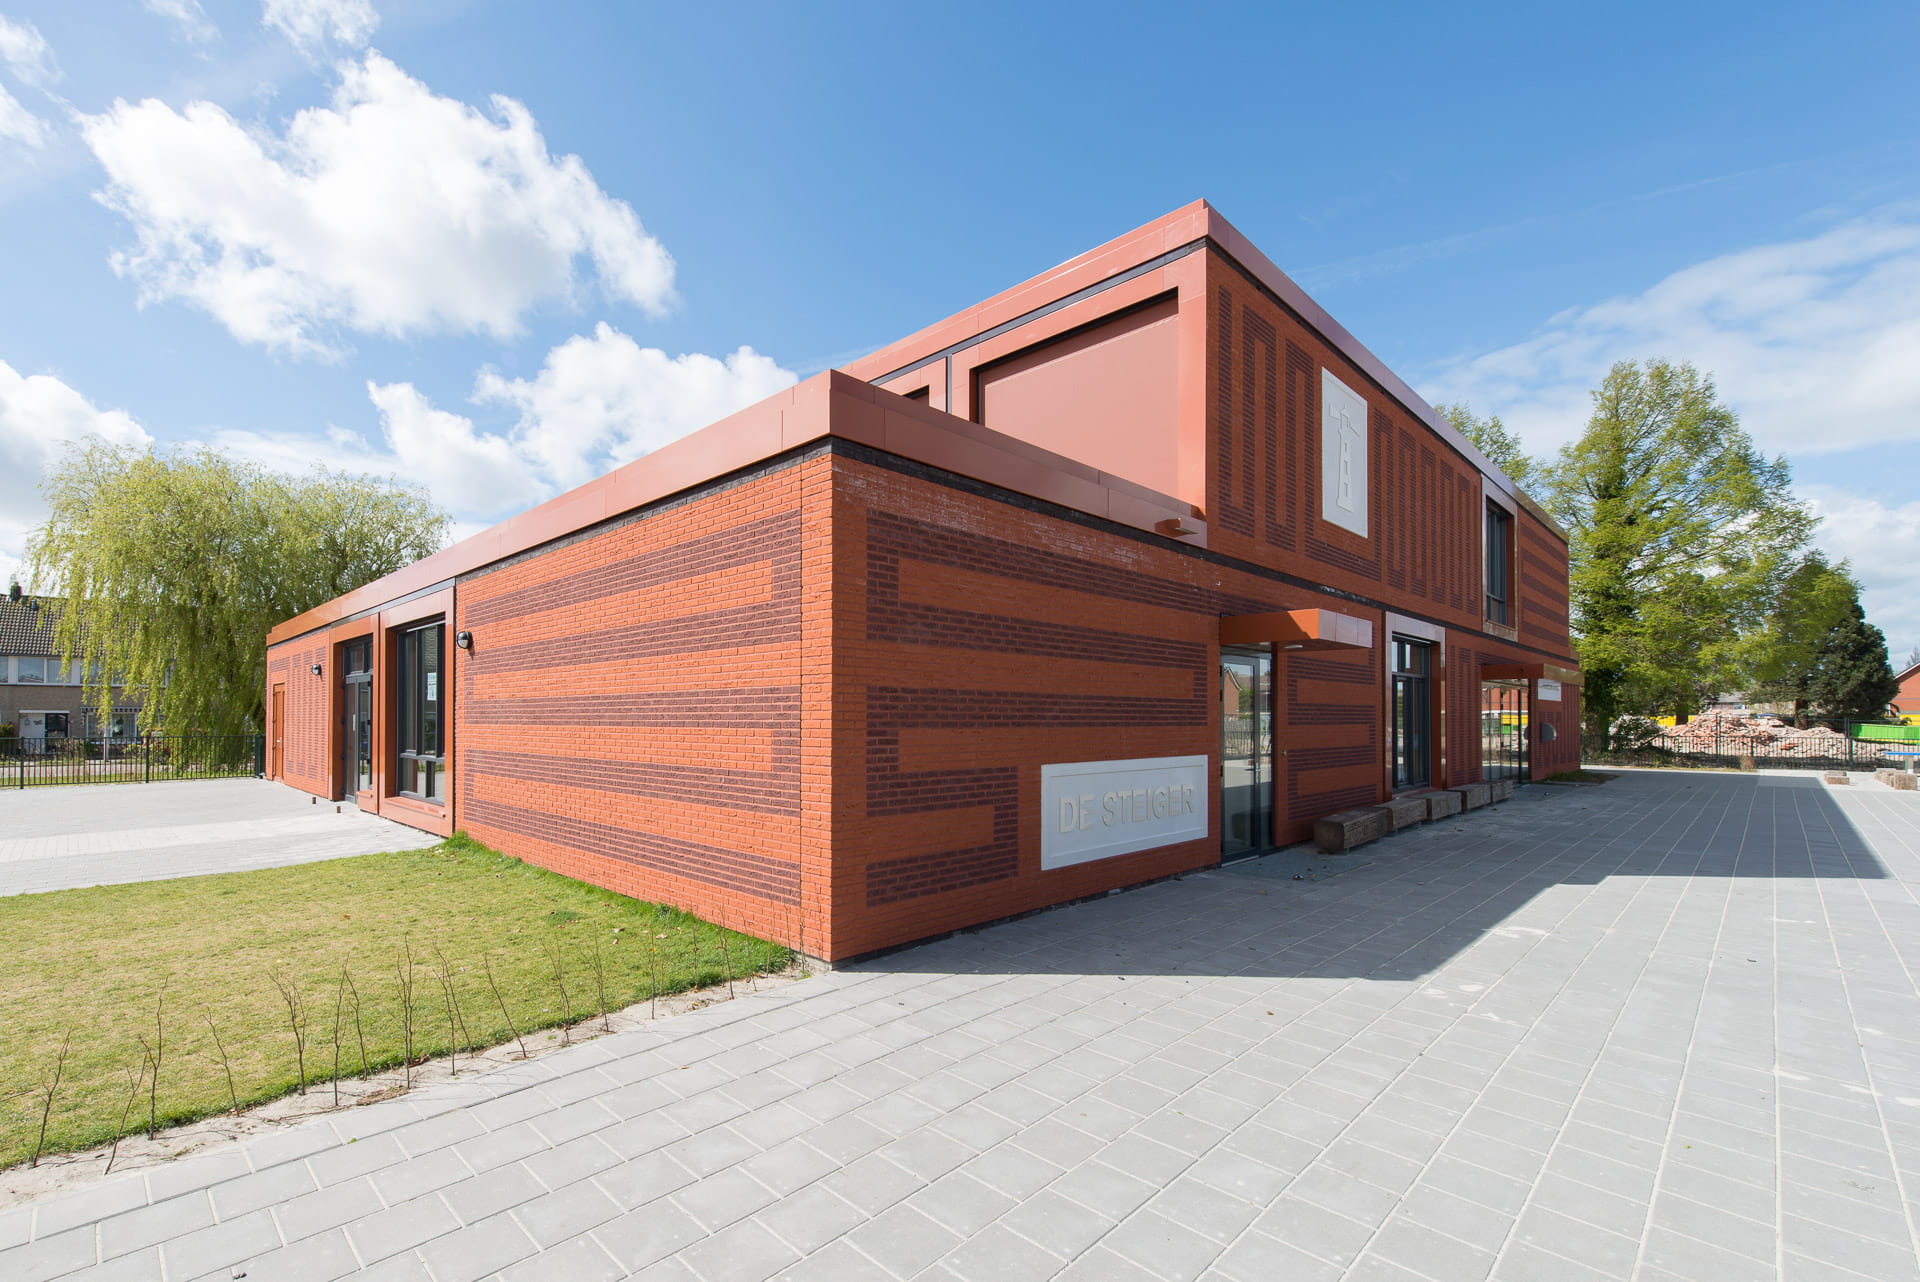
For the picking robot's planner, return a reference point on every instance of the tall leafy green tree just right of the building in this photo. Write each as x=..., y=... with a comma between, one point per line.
x=1681, y=534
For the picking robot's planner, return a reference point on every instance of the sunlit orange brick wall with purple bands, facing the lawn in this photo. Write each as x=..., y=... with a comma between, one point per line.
x=633, y=709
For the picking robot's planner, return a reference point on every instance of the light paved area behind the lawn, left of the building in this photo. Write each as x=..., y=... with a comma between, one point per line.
x=108, y=834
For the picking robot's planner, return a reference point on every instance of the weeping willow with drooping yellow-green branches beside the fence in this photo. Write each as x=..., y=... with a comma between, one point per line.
x=170, y=567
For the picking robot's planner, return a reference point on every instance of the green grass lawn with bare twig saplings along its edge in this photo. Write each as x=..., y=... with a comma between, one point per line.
x=99, y=962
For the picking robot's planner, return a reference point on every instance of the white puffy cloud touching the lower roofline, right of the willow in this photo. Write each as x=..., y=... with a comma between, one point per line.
x=606, y=400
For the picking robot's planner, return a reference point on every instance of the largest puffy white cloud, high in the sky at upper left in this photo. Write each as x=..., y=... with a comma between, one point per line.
x=391, y=212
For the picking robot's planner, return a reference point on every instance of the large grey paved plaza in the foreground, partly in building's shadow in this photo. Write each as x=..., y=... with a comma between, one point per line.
x=1660, y=1030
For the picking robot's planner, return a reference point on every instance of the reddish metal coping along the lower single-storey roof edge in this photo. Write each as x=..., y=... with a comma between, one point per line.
x=828, y=404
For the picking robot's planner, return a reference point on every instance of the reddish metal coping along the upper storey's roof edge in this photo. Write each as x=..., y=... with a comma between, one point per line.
x=1184, y=227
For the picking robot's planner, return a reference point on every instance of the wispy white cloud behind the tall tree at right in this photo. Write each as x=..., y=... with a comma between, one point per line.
x=1812, y=341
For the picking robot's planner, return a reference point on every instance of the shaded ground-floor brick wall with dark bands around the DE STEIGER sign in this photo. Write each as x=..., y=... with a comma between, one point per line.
x=980, y=640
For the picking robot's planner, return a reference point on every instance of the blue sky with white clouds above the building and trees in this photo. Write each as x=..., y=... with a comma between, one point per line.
x=504, y=247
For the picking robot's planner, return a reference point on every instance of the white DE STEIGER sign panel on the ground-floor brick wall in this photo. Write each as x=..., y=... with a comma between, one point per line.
x=1093, y=811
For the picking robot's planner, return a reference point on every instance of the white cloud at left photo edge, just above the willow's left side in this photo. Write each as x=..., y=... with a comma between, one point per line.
x=39, y=417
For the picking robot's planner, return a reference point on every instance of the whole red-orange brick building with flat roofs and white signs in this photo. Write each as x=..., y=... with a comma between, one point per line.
x=1134, y=567
